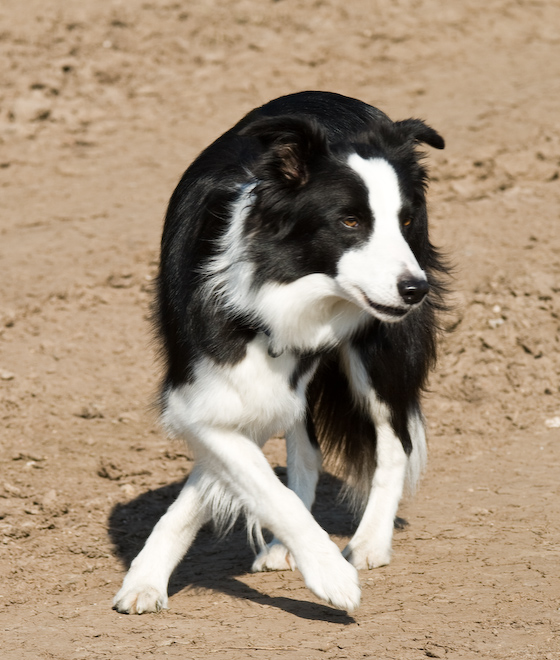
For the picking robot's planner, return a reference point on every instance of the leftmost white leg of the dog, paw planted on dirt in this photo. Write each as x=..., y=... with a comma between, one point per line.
x=145, y=586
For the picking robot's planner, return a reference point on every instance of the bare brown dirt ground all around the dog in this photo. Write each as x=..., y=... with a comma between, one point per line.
x=102, y=106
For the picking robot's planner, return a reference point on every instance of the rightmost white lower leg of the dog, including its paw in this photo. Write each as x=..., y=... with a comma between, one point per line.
x=370, y=546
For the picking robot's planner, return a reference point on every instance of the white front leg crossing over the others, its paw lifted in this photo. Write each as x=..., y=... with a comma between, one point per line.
x=242, y=468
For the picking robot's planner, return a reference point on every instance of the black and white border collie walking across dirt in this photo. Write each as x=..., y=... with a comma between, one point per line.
x=297, y=292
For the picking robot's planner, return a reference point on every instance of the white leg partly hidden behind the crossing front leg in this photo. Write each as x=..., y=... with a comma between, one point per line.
x=304, y=466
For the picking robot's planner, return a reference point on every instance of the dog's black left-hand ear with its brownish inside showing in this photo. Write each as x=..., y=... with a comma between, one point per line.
x=290, y=144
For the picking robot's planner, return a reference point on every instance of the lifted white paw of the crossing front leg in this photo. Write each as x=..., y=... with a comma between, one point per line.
x=331, y=577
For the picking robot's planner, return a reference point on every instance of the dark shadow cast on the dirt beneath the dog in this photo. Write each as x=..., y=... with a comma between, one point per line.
x=213, y=562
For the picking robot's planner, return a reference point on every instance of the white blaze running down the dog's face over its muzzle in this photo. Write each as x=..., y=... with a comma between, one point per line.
x=374, y=269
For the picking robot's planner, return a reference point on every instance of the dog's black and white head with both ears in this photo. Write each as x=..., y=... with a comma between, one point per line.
x=353, y=213
